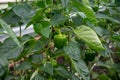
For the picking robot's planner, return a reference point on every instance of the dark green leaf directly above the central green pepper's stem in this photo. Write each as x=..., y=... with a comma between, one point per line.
x=58, y=19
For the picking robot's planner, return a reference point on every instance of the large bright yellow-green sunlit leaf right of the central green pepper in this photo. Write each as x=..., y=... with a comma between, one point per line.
x=89, y=36
